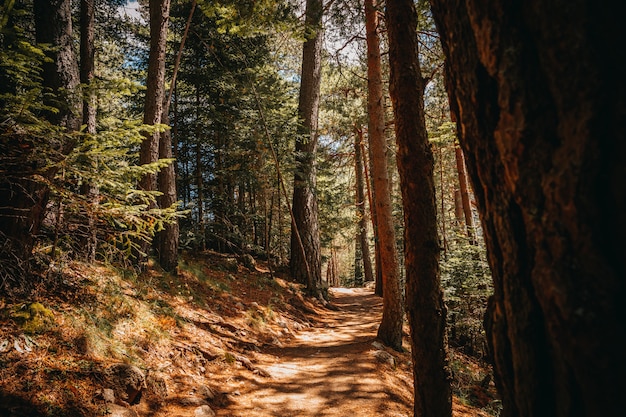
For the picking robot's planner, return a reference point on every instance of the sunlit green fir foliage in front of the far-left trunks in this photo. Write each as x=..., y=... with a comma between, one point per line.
x=33, y=150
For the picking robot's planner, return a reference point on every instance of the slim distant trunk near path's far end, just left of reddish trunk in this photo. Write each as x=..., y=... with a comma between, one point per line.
x=362, y=239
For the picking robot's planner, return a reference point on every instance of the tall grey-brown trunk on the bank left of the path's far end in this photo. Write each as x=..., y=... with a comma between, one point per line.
x=307, y=267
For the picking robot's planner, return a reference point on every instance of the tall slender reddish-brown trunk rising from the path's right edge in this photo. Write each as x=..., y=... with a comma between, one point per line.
x=390, y=329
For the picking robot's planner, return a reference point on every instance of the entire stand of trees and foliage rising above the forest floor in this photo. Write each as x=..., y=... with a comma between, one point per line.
x=329, y=141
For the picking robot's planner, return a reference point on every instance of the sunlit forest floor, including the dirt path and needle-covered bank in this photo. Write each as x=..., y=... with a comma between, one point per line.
x=217, y=339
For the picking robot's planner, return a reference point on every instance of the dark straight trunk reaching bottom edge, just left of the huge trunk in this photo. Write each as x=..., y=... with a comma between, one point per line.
x=426, y=310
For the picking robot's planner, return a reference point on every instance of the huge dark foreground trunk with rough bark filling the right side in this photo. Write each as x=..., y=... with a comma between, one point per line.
x=540, y=100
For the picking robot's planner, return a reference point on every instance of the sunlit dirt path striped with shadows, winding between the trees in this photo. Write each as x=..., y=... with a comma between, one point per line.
x=328, y=370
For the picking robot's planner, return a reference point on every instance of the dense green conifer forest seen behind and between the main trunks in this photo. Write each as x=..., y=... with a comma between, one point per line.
x=232, y=120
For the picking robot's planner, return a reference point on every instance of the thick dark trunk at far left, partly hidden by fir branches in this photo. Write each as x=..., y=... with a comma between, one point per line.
x=24, y=198
